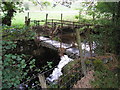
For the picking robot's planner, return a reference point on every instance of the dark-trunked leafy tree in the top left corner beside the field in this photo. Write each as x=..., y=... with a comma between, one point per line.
x=10, y=8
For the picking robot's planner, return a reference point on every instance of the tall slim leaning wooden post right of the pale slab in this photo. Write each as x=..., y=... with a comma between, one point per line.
x=80, y=51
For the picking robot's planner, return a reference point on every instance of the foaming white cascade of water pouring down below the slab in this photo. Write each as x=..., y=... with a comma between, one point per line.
x=57, y=71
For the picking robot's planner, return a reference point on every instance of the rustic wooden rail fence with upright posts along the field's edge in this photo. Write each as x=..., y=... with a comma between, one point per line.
x=54, y=22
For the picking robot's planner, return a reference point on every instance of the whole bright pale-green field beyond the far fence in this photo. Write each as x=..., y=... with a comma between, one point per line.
x=53, y=13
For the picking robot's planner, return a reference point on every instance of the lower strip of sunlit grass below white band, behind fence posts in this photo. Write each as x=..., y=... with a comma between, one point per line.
x=19, y=18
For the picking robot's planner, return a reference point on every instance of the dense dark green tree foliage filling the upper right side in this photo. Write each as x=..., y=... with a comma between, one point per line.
x=107, y=38
